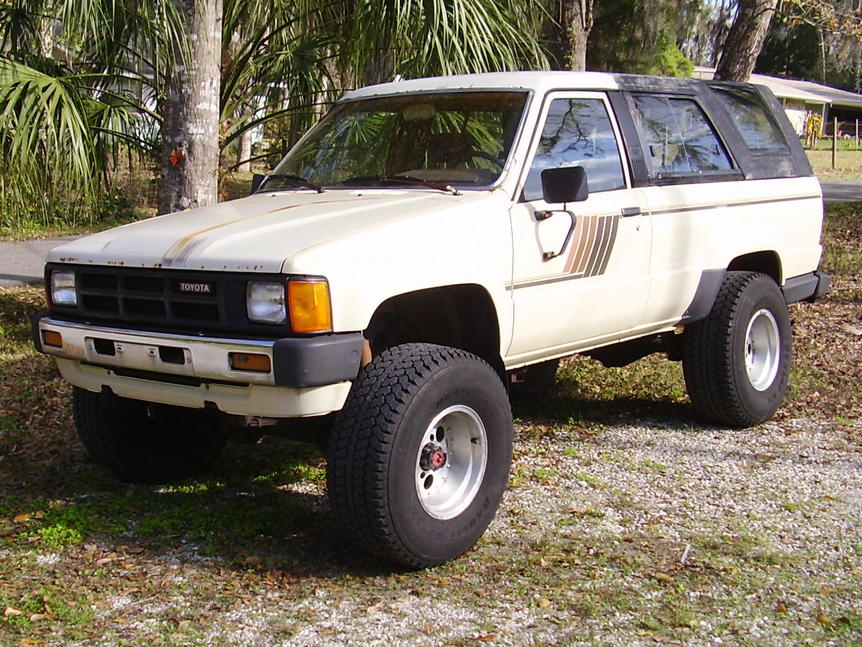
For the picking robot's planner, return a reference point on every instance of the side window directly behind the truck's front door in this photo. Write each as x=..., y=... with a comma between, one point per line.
x=678, y=138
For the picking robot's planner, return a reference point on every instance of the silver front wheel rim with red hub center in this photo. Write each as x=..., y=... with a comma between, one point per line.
x=451, y=462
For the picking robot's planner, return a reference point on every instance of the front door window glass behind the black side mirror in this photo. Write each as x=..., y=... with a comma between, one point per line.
x=577, y=132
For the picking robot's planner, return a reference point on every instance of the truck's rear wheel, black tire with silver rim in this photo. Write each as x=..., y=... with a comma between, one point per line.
x=749, y=319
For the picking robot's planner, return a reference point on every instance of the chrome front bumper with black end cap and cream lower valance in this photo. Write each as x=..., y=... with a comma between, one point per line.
x=308, y=376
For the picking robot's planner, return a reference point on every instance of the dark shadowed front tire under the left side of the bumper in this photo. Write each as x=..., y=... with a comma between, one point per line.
x=143, y=442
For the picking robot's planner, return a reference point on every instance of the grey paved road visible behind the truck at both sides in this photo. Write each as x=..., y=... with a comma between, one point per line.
x=22, y=262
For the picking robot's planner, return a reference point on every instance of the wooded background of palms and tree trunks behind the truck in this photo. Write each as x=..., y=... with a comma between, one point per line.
x=100, y=98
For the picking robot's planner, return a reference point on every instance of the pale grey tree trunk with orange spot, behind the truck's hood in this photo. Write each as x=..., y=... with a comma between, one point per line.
x=190, y=114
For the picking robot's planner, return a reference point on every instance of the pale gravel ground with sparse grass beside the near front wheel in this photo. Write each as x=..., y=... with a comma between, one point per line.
x=623, y=535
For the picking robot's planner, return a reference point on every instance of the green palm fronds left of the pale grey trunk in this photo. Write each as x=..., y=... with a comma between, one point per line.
x=75, y=79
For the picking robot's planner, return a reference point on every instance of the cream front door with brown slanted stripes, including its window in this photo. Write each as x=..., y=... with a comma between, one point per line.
x=580, y=273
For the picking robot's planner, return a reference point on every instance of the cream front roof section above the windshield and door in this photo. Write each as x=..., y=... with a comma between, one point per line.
x=537, y=81
